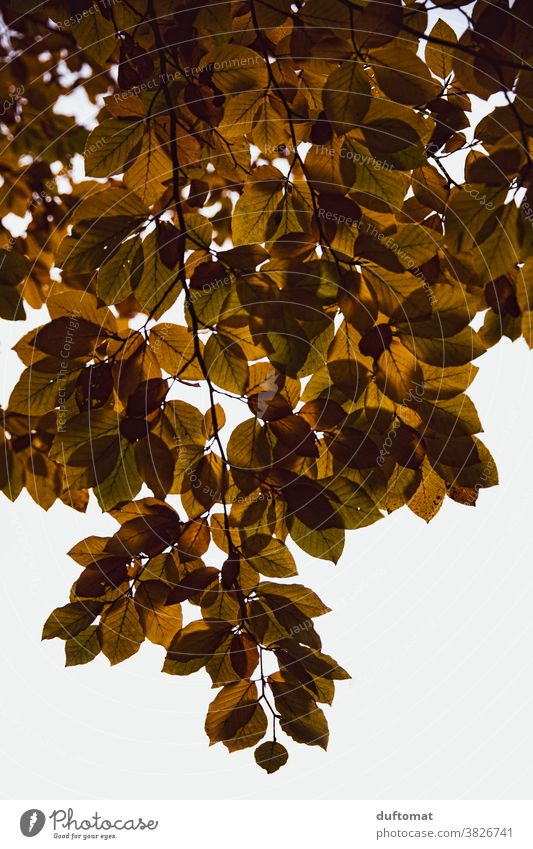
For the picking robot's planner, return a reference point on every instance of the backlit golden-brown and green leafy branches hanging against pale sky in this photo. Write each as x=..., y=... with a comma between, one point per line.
x=288, y=216
